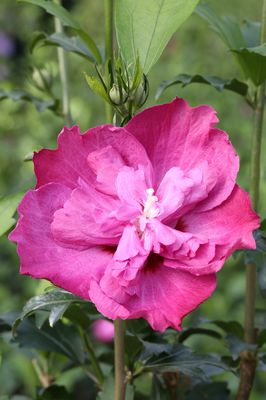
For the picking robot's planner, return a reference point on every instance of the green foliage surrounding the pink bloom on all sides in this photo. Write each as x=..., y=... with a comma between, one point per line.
x=51, y=337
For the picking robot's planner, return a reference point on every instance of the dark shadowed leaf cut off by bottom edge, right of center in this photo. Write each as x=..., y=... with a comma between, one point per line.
x=209, y=391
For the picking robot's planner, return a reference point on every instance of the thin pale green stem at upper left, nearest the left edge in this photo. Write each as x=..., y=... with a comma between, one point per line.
x=63, y=74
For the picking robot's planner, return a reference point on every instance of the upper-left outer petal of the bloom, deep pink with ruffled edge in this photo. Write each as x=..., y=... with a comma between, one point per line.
x=70, y=161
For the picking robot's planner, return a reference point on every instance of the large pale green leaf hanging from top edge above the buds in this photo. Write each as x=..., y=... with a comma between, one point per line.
x=144, y=28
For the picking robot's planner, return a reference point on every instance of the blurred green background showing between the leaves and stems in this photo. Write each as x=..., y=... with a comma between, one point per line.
x=193, y=49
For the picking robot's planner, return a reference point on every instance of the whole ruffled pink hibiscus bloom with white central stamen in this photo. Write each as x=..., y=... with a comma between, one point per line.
x=137, y=219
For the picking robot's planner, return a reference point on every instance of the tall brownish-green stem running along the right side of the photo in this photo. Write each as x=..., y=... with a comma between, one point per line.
x=248, y=359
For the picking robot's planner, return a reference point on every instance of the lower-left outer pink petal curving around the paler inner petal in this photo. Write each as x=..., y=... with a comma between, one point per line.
x=41, y=257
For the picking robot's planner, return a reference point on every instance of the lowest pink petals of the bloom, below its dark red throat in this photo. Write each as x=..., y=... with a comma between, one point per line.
x=163, y=295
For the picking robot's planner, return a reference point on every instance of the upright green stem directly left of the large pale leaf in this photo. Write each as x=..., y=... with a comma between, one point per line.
x=109, y=43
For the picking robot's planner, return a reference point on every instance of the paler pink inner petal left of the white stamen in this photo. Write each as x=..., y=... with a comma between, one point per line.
x=87, y=219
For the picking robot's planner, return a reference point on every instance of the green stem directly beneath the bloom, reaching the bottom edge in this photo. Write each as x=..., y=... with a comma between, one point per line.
x=120, y=386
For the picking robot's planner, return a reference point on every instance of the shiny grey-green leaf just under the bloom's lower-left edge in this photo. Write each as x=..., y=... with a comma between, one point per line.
x=55, y=301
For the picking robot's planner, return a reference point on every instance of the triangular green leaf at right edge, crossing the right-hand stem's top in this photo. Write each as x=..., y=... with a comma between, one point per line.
x=254, y=59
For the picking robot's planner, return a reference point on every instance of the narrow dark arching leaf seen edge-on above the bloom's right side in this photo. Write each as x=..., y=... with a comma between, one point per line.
x=217, y=83
